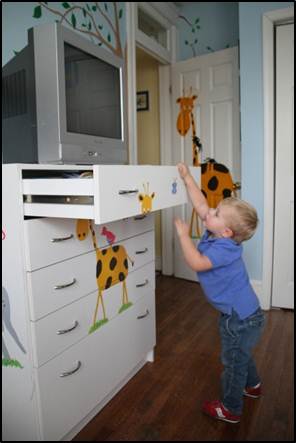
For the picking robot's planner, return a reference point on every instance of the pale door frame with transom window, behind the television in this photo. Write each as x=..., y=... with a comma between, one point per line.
x=170, y=13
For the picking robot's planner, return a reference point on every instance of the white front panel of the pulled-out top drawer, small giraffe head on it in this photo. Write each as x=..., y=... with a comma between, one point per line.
x=118, y=190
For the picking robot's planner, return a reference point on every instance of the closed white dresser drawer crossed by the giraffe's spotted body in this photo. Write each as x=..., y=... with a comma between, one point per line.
x=56, y=286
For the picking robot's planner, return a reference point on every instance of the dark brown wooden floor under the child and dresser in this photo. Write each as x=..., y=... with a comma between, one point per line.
x=163, y=401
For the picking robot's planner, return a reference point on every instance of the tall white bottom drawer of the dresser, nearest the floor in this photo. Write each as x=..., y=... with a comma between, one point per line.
x=105, y=359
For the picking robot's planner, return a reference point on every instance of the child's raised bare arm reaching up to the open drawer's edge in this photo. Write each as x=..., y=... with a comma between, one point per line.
x=197, y=198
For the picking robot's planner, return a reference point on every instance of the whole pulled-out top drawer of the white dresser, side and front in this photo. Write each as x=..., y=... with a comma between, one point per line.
x=104, y=193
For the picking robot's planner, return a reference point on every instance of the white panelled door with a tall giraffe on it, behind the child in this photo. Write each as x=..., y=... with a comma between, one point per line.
x=215, y=79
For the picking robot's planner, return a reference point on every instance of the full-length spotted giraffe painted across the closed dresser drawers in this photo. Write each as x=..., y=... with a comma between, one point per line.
x=111, y=269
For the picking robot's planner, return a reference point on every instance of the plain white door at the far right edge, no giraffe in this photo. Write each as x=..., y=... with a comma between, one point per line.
x=283, y=265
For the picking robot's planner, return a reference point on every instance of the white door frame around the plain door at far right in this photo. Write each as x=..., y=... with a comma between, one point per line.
x=269, y=21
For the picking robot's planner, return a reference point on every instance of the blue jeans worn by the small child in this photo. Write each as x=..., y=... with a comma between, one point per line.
x=238, y=337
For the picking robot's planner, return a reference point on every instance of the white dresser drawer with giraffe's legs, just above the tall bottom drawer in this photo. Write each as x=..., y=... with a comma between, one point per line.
x=63, y=328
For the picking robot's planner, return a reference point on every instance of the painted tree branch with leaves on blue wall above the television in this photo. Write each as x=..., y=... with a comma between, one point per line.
x=83, y=17
